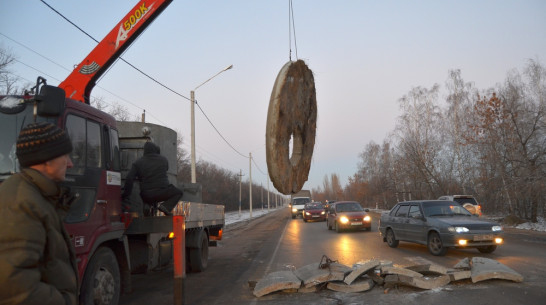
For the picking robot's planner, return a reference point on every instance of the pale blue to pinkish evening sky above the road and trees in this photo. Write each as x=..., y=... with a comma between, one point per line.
x=365, y=55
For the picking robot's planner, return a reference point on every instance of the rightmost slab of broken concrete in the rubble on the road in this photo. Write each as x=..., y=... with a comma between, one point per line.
x=486, y=269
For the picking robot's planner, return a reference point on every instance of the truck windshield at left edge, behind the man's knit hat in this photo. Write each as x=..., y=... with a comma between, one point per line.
x=13, y=116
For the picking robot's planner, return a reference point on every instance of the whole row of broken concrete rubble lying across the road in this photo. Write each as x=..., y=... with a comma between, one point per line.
x=366, y=274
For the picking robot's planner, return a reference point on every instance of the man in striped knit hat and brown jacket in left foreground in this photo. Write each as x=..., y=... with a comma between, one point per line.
x=37, y=259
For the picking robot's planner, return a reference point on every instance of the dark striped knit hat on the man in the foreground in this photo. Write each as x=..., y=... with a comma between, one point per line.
x=41, y=142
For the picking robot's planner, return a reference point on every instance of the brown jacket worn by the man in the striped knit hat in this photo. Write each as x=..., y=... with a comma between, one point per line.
x=37, y=260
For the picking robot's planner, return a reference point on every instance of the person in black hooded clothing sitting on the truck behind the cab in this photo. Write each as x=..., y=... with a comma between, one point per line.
x=151, y=170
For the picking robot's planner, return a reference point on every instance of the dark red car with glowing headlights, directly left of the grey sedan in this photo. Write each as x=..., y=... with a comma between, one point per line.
x=348, y=215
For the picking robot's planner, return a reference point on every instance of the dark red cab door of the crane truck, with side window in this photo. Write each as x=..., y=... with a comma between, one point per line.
x=95, y=179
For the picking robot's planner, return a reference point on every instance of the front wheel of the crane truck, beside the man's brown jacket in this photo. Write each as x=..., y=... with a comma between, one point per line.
x=101, y=281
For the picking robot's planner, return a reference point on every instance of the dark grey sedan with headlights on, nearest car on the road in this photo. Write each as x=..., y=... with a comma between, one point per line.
x=439, y=224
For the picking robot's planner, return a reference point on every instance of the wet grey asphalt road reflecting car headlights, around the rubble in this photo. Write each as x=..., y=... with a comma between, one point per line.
x=276, y=242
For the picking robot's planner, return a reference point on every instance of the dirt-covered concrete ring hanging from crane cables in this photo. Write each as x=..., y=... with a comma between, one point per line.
x=292, y=116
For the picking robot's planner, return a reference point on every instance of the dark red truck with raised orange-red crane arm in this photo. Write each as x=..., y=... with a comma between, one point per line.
x=110, y=243
